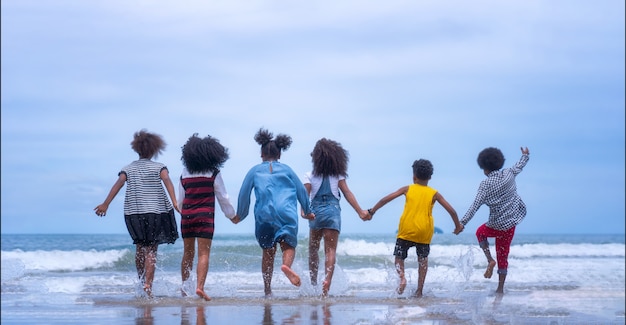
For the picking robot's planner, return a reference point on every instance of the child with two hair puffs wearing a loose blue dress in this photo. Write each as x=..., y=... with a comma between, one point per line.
x=277, y=190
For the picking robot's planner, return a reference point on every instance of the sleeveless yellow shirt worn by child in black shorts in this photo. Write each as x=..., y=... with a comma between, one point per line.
x=416, y=223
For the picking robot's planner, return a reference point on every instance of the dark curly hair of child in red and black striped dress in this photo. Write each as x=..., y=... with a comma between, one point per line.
x=201, y=155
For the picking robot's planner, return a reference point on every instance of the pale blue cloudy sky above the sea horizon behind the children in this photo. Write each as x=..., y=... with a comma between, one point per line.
x=392, y=81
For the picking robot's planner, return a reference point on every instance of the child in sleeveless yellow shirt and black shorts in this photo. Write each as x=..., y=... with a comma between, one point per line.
x=416, y=223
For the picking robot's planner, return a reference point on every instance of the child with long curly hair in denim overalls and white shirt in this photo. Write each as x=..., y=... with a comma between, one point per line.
x=330, y=164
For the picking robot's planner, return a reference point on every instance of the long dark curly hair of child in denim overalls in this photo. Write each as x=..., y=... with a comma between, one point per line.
x=329, y=158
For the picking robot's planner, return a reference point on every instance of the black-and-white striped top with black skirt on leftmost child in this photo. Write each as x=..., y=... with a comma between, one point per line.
x=148, y=213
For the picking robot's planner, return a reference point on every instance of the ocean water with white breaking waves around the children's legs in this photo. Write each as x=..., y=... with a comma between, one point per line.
x=91, y=279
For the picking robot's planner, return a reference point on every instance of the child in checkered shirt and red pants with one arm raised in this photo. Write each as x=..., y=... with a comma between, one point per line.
x=506, y=208
